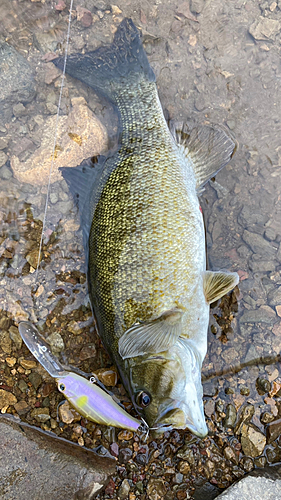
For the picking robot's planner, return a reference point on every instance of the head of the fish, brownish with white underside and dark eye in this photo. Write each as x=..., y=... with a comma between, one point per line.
x=167, y=391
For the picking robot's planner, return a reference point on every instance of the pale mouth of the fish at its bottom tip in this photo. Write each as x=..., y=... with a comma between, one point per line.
x=177, y=419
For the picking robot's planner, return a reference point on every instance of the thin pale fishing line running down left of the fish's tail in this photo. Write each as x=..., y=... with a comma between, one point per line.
x=54, y=144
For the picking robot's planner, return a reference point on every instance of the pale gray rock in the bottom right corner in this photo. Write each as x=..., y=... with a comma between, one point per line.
x=262, y=484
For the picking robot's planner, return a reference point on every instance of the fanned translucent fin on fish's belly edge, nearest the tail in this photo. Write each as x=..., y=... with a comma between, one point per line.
x=209, y=149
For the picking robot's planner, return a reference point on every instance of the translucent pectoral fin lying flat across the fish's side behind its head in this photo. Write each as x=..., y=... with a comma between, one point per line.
x=151, y=337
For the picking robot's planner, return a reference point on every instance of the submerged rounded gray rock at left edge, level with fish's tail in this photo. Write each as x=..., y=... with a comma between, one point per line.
x=16, y=80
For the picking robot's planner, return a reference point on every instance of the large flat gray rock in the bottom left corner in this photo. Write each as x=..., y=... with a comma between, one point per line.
x=36, y=464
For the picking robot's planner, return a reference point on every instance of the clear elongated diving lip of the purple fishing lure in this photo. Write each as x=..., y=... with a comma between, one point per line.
x=40, y=349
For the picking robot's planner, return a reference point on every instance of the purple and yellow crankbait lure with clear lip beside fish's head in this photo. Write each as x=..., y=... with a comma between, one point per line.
x=84, y=395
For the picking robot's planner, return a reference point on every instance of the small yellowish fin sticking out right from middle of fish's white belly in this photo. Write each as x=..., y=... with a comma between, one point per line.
x=216, y=284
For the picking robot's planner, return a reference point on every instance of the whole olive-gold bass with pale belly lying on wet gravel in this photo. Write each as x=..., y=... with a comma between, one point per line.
x=144, y=237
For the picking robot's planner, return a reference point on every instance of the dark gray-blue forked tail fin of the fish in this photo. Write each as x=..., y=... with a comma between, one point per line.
x=109, y=67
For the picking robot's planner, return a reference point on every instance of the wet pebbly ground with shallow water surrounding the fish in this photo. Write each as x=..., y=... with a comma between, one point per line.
x=215, y=62
